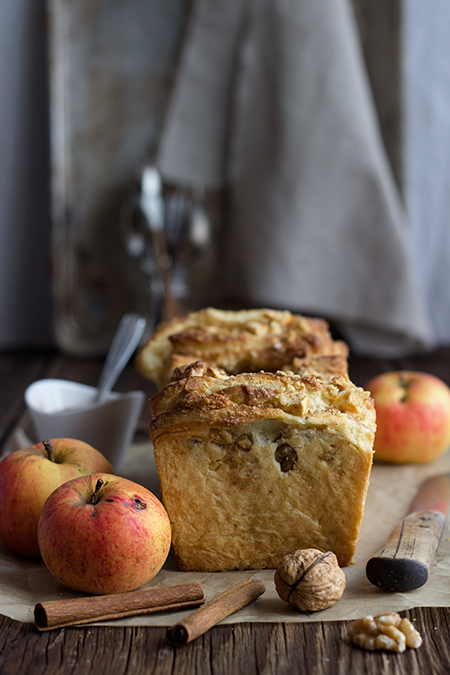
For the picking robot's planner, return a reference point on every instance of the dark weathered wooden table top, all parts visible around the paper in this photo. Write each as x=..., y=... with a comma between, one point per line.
x=319, y=648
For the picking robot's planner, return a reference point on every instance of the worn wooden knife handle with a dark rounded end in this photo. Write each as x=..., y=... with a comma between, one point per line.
x=408, y=555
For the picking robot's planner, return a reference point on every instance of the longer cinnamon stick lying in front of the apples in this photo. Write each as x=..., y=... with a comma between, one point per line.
x=77, y=611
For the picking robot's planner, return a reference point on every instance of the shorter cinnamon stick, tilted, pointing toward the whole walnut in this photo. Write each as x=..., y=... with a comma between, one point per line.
x=215, y=610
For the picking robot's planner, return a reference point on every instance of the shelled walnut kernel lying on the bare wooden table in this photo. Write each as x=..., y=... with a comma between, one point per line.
x=385, y=631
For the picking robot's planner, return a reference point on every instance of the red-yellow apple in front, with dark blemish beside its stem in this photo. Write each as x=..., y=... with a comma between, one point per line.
x=103, y=534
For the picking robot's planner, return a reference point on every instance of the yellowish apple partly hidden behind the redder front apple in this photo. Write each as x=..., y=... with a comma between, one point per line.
x=29, y=476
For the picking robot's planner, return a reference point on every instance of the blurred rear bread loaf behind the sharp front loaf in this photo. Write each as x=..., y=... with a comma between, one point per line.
x=243, y=341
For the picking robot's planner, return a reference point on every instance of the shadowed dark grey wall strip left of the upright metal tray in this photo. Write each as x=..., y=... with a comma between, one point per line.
x=25, y=301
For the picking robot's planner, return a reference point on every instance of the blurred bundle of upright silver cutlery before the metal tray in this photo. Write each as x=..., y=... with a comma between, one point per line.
x=163, y=231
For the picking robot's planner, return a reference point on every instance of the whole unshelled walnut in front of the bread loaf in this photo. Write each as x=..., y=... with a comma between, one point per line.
x=310, y=579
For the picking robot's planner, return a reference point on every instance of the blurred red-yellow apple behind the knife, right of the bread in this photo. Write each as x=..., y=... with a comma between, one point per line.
x=413, y=416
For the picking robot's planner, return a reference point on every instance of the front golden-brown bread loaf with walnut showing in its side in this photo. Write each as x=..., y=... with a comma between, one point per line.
x=258, y=465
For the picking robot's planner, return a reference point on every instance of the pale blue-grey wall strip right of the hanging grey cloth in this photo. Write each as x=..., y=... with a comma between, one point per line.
x=426, y=100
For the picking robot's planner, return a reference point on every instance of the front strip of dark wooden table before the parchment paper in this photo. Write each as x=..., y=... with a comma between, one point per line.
x=250, y=649
